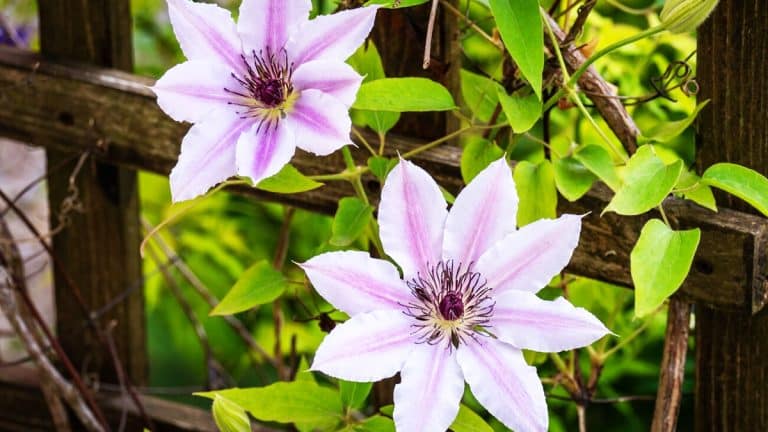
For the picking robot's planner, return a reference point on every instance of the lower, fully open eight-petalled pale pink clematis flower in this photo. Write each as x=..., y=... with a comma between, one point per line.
x=464, y=308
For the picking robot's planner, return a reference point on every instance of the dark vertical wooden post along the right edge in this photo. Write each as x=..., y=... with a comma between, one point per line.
x=732, y=347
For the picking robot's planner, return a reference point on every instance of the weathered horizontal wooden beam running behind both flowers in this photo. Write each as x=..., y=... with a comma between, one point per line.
x=114, y=115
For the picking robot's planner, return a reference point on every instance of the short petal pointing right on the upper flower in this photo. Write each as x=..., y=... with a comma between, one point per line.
x=332, y=77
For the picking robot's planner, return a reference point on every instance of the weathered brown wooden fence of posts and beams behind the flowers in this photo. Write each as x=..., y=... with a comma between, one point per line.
x=74, y=97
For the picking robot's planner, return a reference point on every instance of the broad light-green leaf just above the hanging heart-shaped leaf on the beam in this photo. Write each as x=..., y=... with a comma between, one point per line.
x=647, y=181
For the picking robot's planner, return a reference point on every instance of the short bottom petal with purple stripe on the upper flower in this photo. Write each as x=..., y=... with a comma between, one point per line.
x=264, y=149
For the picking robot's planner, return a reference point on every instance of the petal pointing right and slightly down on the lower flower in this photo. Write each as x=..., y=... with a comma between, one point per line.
x=528, y=322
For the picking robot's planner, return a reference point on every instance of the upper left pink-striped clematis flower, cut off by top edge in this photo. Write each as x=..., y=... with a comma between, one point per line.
x=258, y=89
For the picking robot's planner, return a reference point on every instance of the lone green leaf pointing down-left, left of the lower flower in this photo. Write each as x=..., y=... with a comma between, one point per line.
x=258, y=285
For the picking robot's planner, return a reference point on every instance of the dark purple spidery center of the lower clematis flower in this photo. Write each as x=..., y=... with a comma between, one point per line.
x=451, y=302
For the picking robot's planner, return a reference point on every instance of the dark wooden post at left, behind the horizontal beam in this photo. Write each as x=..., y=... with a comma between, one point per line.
x=98, y=250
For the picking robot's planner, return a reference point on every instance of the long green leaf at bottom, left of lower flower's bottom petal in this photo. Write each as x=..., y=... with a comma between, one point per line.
x=287, y=402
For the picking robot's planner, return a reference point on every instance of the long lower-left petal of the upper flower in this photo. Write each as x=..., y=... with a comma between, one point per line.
x=207, y=155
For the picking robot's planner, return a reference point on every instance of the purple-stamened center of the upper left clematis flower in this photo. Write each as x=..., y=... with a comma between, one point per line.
x=266, y=88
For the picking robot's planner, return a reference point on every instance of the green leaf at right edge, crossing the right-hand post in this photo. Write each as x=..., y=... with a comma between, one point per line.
x=741, y=182
